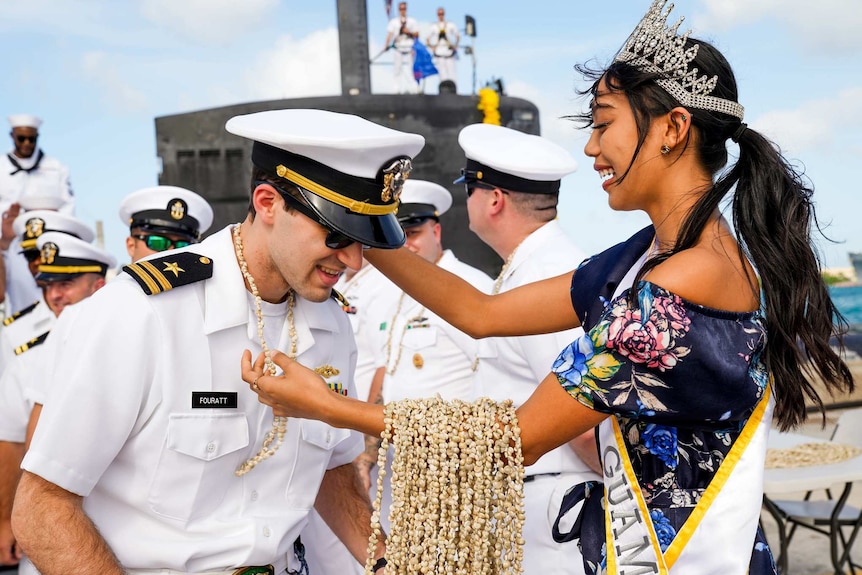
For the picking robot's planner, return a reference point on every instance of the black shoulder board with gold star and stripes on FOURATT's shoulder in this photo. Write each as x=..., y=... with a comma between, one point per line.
x=169, y=271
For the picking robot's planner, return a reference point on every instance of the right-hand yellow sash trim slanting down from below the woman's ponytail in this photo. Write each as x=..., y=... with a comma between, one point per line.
x=721, y=476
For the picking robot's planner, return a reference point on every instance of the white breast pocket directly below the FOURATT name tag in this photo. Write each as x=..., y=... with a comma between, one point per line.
x=200, y=455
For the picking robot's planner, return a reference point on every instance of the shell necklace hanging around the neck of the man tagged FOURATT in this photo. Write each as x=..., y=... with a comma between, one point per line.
x=275, y=436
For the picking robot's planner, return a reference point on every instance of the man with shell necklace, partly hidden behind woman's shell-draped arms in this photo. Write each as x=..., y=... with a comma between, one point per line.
x=419, y=354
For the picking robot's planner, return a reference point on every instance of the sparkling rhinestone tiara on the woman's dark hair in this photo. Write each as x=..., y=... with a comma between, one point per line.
x=658, y=48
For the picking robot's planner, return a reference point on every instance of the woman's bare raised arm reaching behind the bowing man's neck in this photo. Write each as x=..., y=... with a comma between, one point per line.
x=540, y=307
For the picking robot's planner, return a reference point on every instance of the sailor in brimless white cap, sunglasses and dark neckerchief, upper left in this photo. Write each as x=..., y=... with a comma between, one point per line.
x=26, y=170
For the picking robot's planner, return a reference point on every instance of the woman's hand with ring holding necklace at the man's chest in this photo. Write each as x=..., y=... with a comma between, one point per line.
x=298, y=392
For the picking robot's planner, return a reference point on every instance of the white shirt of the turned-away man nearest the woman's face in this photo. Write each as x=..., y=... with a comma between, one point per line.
x=513, y=367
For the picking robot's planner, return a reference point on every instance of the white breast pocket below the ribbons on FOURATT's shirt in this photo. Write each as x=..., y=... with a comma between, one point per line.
x=317, y=440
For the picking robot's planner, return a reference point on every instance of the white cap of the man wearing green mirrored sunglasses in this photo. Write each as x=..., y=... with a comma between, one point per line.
x=167, y=209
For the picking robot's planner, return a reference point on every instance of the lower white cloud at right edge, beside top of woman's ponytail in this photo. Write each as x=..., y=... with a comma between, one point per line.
x=818, y=125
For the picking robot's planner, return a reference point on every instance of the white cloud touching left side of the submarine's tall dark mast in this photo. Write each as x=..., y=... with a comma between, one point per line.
x=295, y=68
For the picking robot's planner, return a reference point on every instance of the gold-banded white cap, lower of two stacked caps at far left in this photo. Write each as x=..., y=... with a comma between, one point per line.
x=65, y=257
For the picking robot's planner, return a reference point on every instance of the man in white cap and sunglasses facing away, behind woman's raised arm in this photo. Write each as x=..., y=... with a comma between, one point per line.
x=512, y=182
